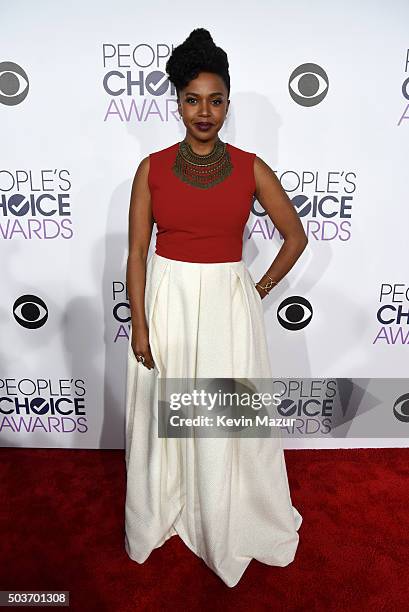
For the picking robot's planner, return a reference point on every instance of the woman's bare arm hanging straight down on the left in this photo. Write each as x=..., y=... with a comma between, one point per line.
x=139, y=232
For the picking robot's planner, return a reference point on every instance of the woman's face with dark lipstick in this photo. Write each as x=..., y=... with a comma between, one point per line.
x=204, y=101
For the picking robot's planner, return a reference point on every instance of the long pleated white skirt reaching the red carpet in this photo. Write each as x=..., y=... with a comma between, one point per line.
x=227, y=498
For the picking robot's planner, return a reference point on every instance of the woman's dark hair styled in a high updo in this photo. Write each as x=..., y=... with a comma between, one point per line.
x=196, y=54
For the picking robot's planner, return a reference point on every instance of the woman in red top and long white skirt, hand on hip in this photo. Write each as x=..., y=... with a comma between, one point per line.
x=197, y=313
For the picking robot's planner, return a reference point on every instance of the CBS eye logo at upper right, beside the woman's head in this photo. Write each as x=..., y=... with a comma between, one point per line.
x=308, y=84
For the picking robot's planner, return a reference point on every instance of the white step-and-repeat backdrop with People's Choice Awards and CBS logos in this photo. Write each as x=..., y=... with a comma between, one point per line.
x=320, y=92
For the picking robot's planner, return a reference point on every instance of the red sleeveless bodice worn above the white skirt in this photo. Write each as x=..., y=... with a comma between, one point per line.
x=201, y=225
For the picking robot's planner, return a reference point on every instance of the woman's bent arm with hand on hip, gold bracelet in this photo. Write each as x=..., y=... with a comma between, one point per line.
x=279, y=208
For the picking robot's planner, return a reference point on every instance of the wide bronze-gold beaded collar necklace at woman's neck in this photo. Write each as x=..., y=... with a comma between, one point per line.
x=202, y=171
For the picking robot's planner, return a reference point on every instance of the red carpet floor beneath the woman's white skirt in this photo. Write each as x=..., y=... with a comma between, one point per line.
x=62, y=519
